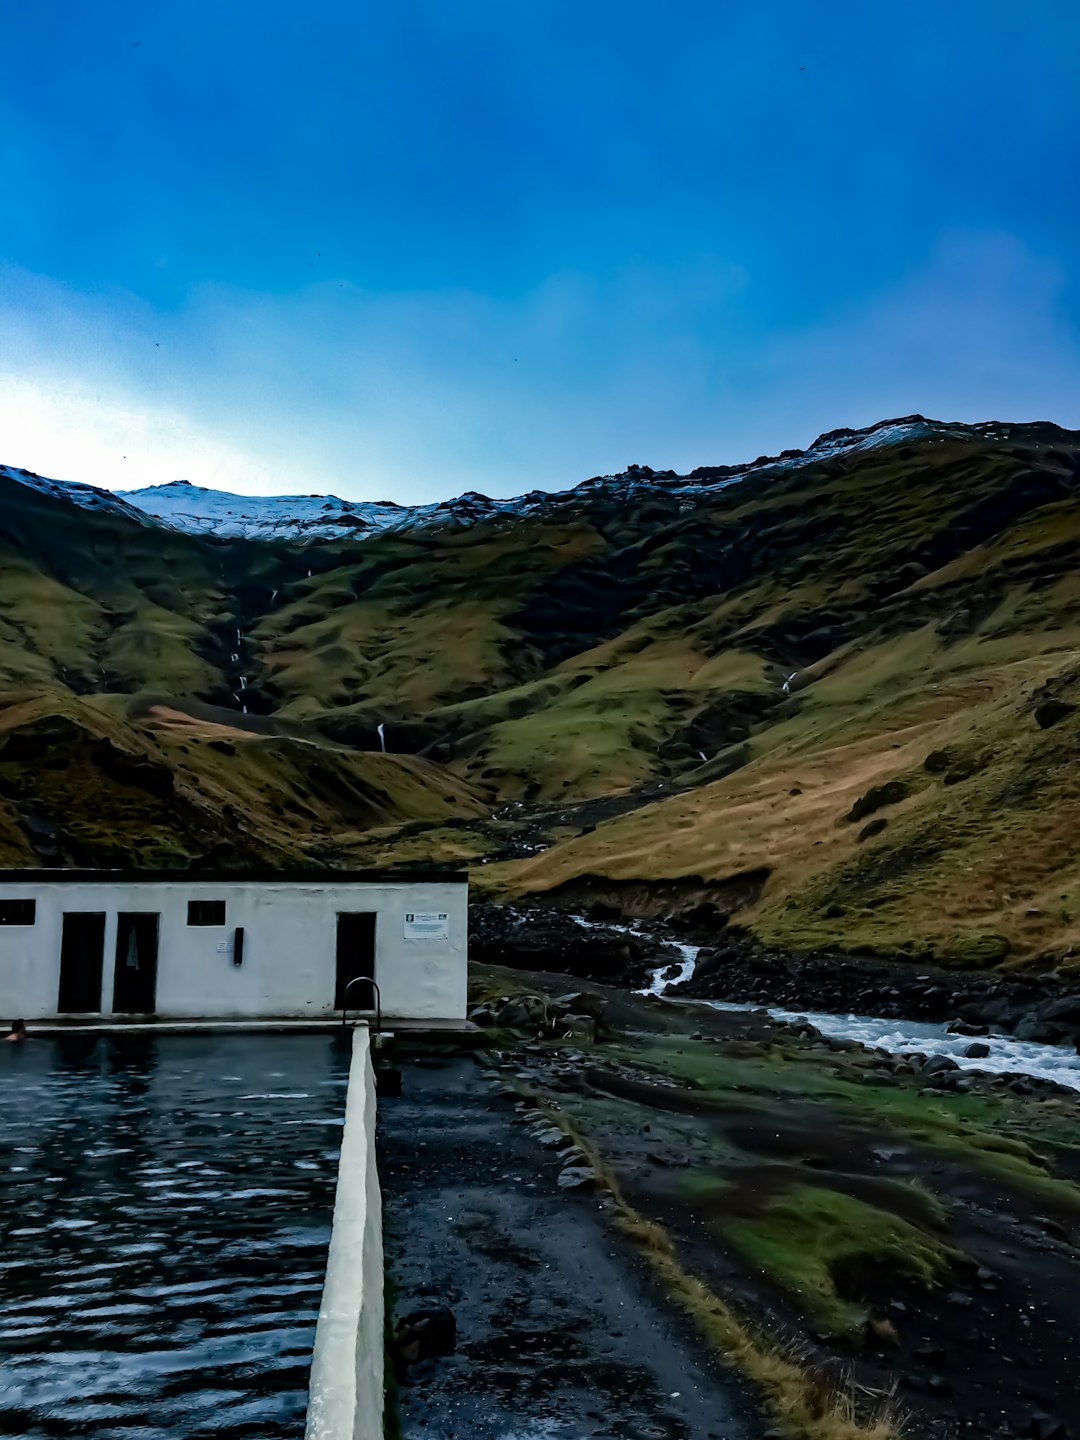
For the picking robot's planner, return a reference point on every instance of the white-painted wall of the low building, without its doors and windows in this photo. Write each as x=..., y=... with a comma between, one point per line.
x=289, y=951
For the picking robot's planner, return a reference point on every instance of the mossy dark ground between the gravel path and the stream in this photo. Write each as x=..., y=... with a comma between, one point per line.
x=837, y=1210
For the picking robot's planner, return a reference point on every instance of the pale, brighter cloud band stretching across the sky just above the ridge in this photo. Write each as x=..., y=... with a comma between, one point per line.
x=421, y=395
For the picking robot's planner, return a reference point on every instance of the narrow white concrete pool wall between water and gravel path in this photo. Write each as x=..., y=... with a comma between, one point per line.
x=346, y=1387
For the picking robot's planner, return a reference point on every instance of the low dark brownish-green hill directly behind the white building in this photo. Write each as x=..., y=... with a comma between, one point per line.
x=175, y=791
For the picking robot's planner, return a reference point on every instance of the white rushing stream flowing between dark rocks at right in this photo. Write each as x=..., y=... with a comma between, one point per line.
x=899, y=1038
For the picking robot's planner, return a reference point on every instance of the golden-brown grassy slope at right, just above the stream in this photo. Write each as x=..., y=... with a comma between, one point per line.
x=987, y=847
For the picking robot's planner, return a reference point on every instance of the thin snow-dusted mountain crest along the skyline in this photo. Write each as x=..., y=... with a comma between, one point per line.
x=198, y=510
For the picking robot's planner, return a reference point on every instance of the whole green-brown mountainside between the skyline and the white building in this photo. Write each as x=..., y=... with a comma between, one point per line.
x=834, y=696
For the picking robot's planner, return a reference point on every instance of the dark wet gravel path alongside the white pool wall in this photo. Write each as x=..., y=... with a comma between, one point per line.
x=561, y=1336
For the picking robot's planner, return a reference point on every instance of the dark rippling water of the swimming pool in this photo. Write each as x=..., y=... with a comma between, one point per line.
x=165, y=1218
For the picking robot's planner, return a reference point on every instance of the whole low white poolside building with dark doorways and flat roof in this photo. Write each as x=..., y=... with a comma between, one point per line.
x=99, y=942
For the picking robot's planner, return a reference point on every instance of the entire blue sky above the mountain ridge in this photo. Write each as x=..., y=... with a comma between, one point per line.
x=408, y=250
